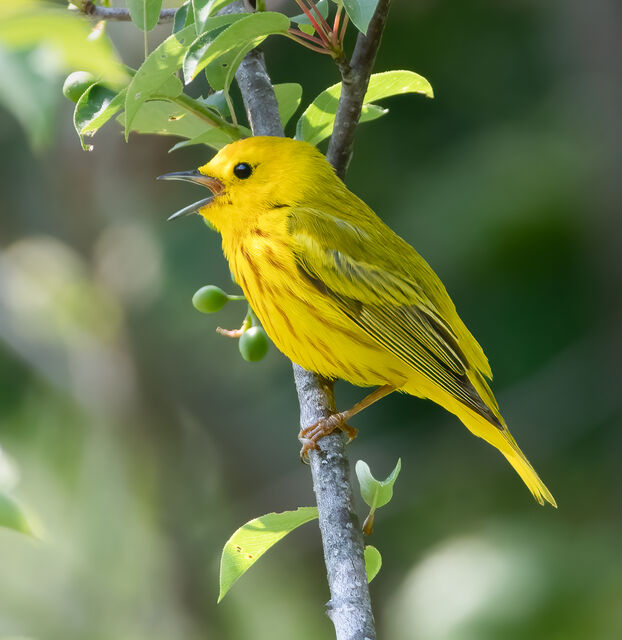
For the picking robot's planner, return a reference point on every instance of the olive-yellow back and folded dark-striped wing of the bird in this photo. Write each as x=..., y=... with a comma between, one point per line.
x=387, y=289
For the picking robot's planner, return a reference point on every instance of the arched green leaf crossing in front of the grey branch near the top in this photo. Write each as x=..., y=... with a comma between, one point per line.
x=248, y=31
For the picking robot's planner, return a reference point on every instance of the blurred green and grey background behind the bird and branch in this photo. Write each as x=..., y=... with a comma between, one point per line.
x=141, y=439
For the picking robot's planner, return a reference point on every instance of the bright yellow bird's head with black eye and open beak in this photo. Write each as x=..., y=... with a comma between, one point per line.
x=249, y=175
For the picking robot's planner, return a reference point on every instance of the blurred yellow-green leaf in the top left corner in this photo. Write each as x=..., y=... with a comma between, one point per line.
x=25, y=25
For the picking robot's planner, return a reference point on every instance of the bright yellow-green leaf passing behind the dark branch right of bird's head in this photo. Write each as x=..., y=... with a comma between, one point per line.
x=316, y=123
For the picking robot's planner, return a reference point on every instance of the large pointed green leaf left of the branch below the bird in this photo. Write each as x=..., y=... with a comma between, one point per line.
x=253, y=539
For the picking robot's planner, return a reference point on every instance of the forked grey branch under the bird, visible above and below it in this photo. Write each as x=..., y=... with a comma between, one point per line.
x=350, y=605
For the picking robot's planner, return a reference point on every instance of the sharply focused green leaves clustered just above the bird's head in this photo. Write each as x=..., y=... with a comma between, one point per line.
x=214, y=45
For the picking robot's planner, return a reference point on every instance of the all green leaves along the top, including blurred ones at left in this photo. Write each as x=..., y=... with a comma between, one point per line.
x=153, y=98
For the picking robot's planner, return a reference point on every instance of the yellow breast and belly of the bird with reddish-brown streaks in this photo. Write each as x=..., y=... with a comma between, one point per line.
x=303, y=323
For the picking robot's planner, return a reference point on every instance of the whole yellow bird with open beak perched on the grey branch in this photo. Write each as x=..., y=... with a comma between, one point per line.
x=340, y=293
